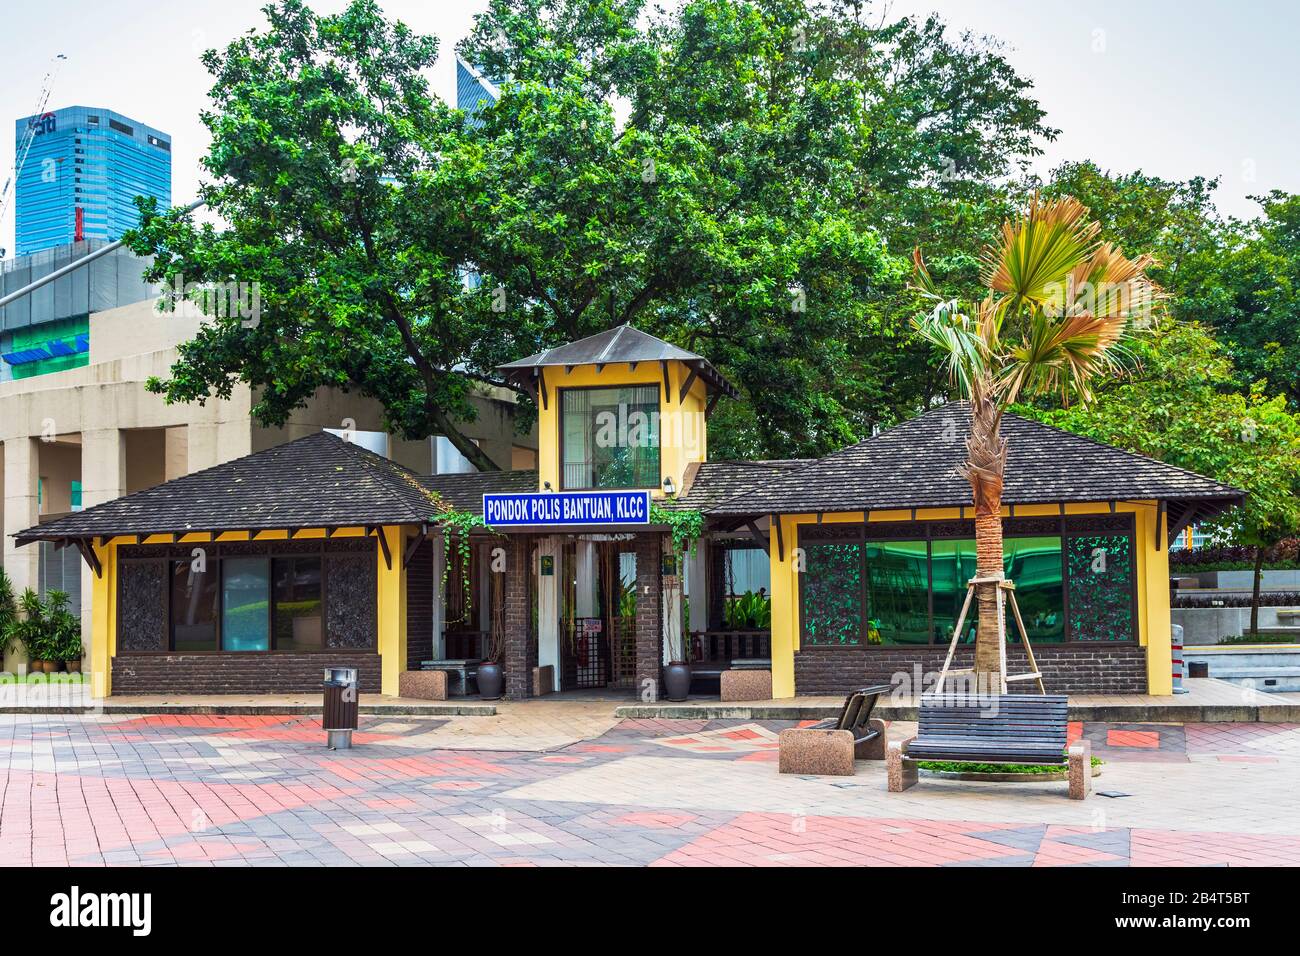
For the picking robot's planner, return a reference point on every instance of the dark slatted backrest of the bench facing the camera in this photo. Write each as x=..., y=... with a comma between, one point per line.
x=1021, y=717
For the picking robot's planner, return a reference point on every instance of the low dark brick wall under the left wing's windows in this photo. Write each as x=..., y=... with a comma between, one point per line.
x=211, y=674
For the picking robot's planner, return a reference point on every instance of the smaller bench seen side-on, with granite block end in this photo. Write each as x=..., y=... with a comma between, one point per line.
x=833, y=746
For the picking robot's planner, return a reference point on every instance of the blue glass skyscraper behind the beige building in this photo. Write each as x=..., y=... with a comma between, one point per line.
x=84, y=171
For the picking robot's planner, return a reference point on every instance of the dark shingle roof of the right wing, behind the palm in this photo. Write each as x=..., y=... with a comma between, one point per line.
x=915, y=465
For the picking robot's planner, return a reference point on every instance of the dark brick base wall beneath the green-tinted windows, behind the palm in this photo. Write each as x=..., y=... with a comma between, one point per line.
x=1067, y=669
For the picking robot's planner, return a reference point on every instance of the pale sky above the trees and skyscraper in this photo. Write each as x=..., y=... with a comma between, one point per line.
x=1173, y=88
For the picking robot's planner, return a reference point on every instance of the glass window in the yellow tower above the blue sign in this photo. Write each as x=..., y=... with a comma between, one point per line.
x=610, y=438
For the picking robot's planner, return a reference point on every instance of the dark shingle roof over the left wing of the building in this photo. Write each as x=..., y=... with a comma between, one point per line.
x=311, y=483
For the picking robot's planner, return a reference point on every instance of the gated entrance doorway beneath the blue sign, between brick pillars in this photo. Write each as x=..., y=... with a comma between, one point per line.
x=599, y=612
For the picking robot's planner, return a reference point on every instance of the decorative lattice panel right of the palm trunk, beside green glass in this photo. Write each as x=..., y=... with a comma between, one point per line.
x=1102, y=587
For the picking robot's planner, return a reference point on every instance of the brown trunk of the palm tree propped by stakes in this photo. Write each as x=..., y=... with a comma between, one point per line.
x=985, y=468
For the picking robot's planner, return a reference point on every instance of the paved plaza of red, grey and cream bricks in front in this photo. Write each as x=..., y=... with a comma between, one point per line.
x=552, y=784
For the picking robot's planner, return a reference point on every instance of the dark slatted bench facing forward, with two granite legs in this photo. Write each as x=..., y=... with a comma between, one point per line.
x=994, y=729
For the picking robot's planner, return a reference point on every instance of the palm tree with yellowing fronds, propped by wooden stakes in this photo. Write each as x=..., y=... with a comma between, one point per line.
x=1059, y=304
